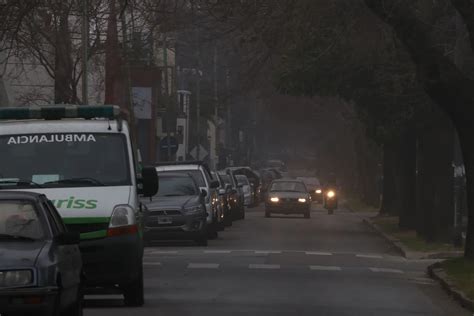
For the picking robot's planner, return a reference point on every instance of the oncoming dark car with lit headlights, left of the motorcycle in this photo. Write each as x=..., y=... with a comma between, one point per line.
x=288, y=197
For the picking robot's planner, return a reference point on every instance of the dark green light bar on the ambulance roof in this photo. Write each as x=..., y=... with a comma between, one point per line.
x=57, y=112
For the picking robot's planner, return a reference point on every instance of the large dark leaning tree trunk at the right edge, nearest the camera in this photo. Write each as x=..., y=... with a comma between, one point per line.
x=446, y=84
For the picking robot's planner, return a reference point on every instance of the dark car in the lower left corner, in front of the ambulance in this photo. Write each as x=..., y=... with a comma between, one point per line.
x=41, y=265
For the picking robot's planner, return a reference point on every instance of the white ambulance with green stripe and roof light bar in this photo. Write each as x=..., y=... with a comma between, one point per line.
x=83, y=159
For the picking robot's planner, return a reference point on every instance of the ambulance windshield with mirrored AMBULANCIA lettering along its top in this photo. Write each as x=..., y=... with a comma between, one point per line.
x=63, y=160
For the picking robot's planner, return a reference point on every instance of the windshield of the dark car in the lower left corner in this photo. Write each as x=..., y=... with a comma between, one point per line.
x=19, y=221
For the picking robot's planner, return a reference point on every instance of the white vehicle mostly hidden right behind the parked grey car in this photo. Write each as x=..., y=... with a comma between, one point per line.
x=202, y=175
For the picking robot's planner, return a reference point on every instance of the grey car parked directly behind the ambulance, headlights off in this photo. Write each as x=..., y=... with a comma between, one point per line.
x=177, y=211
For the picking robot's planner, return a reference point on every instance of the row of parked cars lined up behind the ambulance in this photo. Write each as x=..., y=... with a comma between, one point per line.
x=195, y=202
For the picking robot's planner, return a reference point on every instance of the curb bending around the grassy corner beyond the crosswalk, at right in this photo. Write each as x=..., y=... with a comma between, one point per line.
x=404, y=251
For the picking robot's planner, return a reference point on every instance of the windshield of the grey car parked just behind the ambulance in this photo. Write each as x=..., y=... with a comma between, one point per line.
x=170, y=185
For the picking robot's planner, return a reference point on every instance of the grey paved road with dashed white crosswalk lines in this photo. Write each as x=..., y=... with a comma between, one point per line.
x=326, y=265
